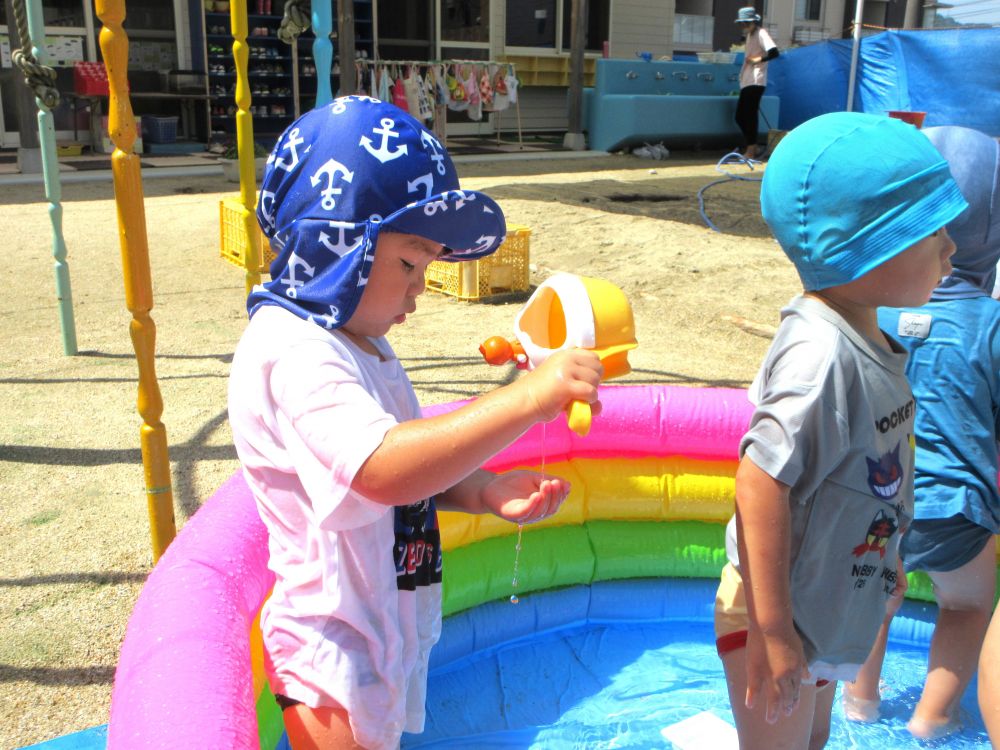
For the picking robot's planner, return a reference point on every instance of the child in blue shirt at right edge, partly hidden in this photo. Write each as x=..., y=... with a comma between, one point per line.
x=954, y=369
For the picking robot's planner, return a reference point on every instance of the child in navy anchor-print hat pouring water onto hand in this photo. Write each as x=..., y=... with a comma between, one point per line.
x=357, y=199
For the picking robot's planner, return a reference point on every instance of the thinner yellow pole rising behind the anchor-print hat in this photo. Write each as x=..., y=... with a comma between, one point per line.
x=244, y=143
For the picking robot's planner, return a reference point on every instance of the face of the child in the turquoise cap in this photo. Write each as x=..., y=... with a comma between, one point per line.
x=907, y=279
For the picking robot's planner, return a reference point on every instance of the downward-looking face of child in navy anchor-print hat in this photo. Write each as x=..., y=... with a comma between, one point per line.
x=395, y=282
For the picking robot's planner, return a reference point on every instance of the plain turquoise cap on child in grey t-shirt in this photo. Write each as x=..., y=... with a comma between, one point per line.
x=846, y=191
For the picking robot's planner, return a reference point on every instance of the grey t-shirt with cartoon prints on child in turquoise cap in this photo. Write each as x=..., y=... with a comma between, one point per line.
x=834, y=421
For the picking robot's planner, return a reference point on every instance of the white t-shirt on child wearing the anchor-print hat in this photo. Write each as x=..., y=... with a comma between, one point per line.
x=357, y=603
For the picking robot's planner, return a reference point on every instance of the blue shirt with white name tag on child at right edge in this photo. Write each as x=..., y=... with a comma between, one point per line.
x=954, y=371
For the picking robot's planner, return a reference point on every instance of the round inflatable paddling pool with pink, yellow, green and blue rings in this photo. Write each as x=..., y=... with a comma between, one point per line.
x=652, y=487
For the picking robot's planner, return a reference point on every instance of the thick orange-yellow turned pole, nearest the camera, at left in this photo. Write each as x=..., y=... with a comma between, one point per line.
x=135, y=269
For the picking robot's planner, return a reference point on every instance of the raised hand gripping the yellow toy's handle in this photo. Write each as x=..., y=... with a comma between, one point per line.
x=568, y=375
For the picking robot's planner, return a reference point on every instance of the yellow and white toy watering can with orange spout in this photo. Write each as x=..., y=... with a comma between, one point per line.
x=568, y=311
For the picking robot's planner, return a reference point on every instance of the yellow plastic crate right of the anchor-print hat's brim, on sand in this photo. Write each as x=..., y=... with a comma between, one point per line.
x=503, y=272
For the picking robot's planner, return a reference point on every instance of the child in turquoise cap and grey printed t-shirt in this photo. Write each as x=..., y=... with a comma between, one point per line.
x=825, y=481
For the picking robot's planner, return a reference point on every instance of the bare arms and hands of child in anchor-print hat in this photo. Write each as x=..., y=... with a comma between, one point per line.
x=425, y=457
